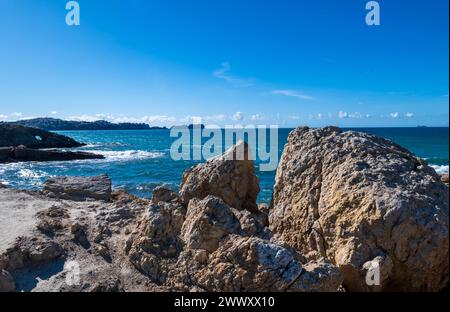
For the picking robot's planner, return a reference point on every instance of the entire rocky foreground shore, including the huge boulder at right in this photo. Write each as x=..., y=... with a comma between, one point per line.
x=343, y=202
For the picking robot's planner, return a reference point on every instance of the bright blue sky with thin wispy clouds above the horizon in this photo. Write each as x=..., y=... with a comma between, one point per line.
x=228, y=61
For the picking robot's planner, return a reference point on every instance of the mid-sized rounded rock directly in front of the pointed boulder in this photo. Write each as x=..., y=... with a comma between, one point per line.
x=207, y=222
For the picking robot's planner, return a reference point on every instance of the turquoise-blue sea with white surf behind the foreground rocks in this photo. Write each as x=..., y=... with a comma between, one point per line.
x=138, y=161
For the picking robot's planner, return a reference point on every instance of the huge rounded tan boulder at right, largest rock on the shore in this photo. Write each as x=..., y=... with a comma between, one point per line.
x=357, y=199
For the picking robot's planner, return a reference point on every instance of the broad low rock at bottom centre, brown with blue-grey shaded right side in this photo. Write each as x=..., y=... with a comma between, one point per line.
x=249, y=264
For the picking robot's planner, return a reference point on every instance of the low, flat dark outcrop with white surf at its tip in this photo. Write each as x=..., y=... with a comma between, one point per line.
x=22, y=153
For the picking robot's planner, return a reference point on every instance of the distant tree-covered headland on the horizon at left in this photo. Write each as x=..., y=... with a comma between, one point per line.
x=53, y=124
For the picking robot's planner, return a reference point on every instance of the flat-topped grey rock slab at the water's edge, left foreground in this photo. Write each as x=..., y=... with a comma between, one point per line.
x=79, y=188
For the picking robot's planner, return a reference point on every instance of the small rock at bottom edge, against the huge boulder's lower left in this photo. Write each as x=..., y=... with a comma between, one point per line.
x=318, y=276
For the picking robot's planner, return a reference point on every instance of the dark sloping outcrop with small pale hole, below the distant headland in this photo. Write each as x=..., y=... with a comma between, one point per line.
x=15, y=135
